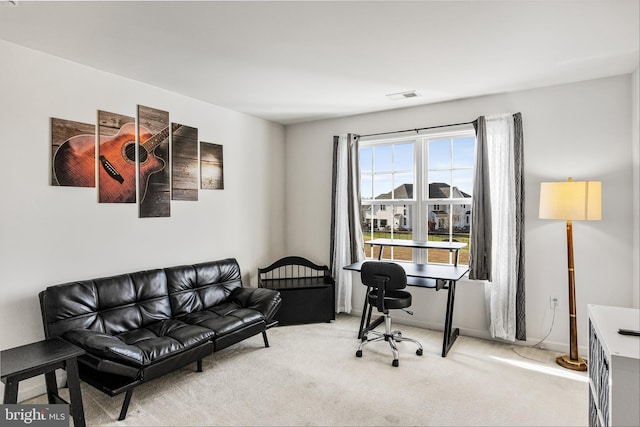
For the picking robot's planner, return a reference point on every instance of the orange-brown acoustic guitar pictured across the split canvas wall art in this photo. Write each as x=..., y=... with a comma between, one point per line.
x=74, y=162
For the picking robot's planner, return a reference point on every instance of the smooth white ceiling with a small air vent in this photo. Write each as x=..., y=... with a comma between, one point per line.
x=297, y=61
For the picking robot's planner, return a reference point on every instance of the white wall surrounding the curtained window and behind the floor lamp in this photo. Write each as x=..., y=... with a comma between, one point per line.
x=580, y=130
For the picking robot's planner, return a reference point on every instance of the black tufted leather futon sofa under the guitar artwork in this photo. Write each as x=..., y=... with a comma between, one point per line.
x=136, y=327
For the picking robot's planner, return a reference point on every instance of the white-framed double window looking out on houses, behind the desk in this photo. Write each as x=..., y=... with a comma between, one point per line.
x=418, y=188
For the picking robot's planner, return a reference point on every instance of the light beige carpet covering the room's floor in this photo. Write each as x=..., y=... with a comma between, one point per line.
x=310, y=376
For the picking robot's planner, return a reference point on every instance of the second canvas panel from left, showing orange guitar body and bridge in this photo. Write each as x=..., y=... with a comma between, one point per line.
x=116, y=158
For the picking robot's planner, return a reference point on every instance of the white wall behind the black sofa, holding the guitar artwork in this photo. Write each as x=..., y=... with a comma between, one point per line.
x=50, y=235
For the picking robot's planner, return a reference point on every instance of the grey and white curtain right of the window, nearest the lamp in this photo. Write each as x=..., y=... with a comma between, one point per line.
x=497, y=242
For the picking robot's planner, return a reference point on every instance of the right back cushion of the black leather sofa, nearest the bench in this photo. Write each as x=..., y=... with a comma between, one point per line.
x=198, y=287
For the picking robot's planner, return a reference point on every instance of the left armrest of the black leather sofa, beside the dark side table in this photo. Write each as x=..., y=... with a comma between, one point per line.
x=106, y=346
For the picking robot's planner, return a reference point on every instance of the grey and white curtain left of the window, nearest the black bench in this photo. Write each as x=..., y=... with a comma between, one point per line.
x=347, y=242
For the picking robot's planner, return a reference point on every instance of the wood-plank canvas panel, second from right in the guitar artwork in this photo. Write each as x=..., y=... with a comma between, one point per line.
x=184, y=163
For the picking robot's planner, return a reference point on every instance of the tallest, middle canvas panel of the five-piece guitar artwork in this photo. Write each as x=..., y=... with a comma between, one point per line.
x=153, y=158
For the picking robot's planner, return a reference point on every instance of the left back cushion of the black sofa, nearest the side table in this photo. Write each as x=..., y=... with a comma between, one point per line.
x=111, y=305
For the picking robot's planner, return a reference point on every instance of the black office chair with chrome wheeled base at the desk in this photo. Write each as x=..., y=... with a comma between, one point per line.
x=387, y=280
